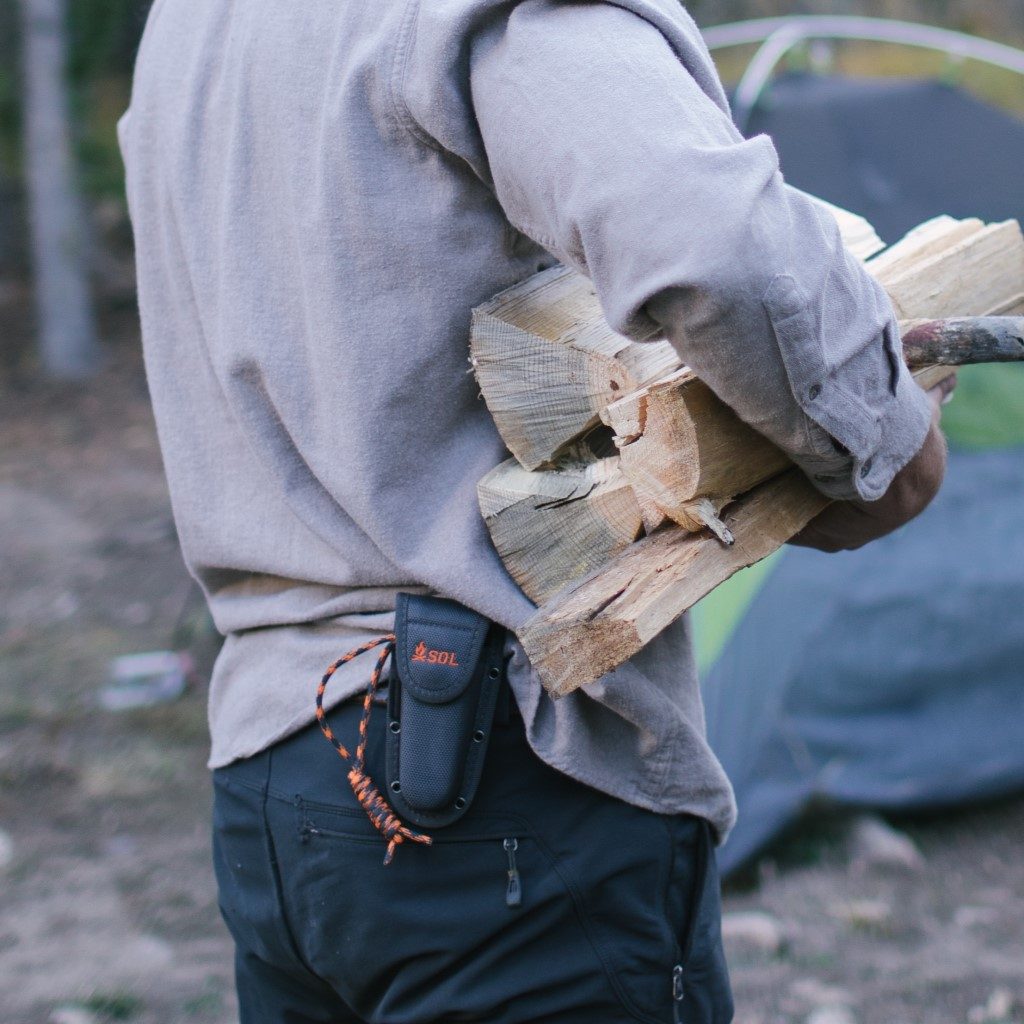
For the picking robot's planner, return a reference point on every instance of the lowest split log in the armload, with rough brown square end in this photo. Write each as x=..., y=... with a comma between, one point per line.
x=596, y=624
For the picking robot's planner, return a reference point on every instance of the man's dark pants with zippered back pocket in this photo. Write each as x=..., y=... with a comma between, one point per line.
x=615, y=900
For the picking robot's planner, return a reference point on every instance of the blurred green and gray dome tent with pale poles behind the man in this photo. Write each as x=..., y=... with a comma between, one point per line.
x=891, y=677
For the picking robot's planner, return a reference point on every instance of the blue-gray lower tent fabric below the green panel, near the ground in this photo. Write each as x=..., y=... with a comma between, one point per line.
x=892, y=676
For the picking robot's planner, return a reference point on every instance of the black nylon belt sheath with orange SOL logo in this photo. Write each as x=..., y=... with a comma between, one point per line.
x=442, y=696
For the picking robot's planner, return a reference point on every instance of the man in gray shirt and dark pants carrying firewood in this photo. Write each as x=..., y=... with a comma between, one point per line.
x=321, y=193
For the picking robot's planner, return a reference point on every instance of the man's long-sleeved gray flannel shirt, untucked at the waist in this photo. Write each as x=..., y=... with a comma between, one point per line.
x=321, y=193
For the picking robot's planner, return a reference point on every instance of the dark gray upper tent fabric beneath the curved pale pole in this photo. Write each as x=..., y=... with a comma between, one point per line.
x=897, y=151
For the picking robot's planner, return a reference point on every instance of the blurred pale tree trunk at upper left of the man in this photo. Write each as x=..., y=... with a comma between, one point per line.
x=65, y=316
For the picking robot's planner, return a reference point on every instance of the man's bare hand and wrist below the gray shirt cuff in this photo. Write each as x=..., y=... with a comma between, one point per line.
x=846, y=526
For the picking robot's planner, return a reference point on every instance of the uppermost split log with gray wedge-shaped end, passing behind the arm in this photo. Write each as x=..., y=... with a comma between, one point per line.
x=548, y=364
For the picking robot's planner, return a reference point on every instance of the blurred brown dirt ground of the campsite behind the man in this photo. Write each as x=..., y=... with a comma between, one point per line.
x=108, y=911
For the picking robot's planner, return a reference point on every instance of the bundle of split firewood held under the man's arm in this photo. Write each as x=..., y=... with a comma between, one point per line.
x=634, y=491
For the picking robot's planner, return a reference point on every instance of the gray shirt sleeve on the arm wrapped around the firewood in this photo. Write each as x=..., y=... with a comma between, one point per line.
x=604, y=148
